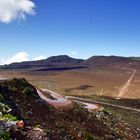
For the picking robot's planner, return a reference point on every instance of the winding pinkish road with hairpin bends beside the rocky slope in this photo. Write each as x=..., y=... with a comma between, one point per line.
x=62, y=101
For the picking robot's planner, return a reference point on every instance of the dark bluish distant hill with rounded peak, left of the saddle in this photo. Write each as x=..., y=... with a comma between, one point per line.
x=54, y=61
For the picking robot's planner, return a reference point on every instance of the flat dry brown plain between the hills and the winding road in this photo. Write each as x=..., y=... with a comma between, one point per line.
x=102, y=82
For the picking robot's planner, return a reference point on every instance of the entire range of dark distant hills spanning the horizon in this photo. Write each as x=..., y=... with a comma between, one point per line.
x=64, y=62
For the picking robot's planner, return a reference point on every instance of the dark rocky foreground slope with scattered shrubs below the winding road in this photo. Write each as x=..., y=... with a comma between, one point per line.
x=24, y=116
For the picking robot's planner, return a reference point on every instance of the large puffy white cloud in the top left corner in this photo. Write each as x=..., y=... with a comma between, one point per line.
x=15, y=9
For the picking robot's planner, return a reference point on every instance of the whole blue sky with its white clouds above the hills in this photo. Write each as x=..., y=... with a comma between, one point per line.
x=37, y=29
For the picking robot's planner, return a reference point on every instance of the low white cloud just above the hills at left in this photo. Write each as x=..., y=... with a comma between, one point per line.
x=20, y=57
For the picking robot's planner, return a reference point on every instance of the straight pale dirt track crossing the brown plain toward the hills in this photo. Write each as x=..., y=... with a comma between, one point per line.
x=124, y=89
